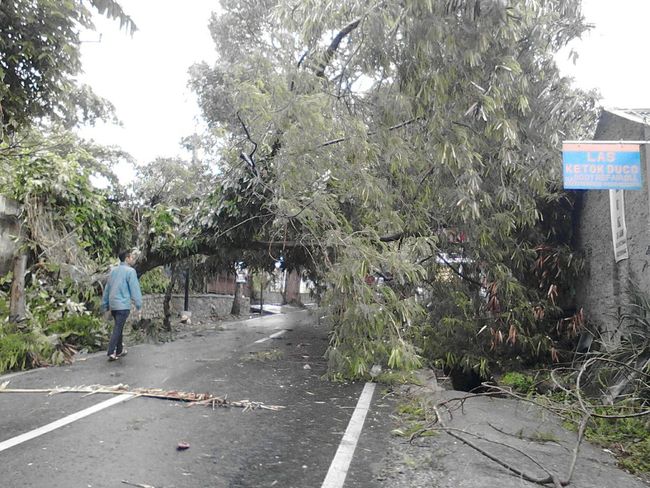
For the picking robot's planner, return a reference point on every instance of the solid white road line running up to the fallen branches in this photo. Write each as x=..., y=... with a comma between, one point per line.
x=341, y=462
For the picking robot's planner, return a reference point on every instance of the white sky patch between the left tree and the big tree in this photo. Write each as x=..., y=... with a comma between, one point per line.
x=145, y=76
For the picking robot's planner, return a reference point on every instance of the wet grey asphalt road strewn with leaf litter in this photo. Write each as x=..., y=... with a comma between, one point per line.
x=136, y=441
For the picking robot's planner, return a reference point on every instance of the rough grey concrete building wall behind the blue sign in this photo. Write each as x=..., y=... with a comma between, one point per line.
x=603, y=290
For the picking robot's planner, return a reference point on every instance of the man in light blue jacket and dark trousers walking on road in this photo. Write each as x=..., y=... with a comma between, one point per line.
x=121, y=288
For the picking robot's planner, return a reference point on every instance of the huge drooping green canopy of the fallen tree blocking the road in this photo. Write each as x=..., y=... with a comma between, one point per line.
x=414, y=141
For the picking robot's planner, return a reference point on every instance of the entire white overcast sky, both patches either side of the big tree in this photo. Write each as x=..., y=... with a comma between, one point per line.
x=145, y=76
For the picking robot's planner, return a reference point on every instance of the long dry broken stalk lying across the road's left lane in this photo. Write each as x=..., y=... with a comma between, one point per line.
x=182, y=396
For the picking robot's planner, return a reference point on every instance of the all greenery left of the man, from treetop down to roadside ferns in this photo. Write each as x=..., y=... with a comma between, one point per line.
x=69, y=228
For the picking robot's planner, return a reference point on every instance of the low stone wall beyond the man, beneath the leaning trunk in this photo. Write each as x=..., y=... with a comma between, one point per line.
x=204, y=307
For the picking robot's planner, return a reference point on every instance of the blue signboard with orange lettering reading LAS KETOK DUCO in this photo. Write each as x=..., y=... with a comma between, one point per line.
x=592, y=166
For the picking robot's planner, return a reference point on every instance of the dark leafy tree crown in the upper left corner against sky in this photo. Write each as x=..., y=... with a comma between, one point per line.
x=39, y=58
